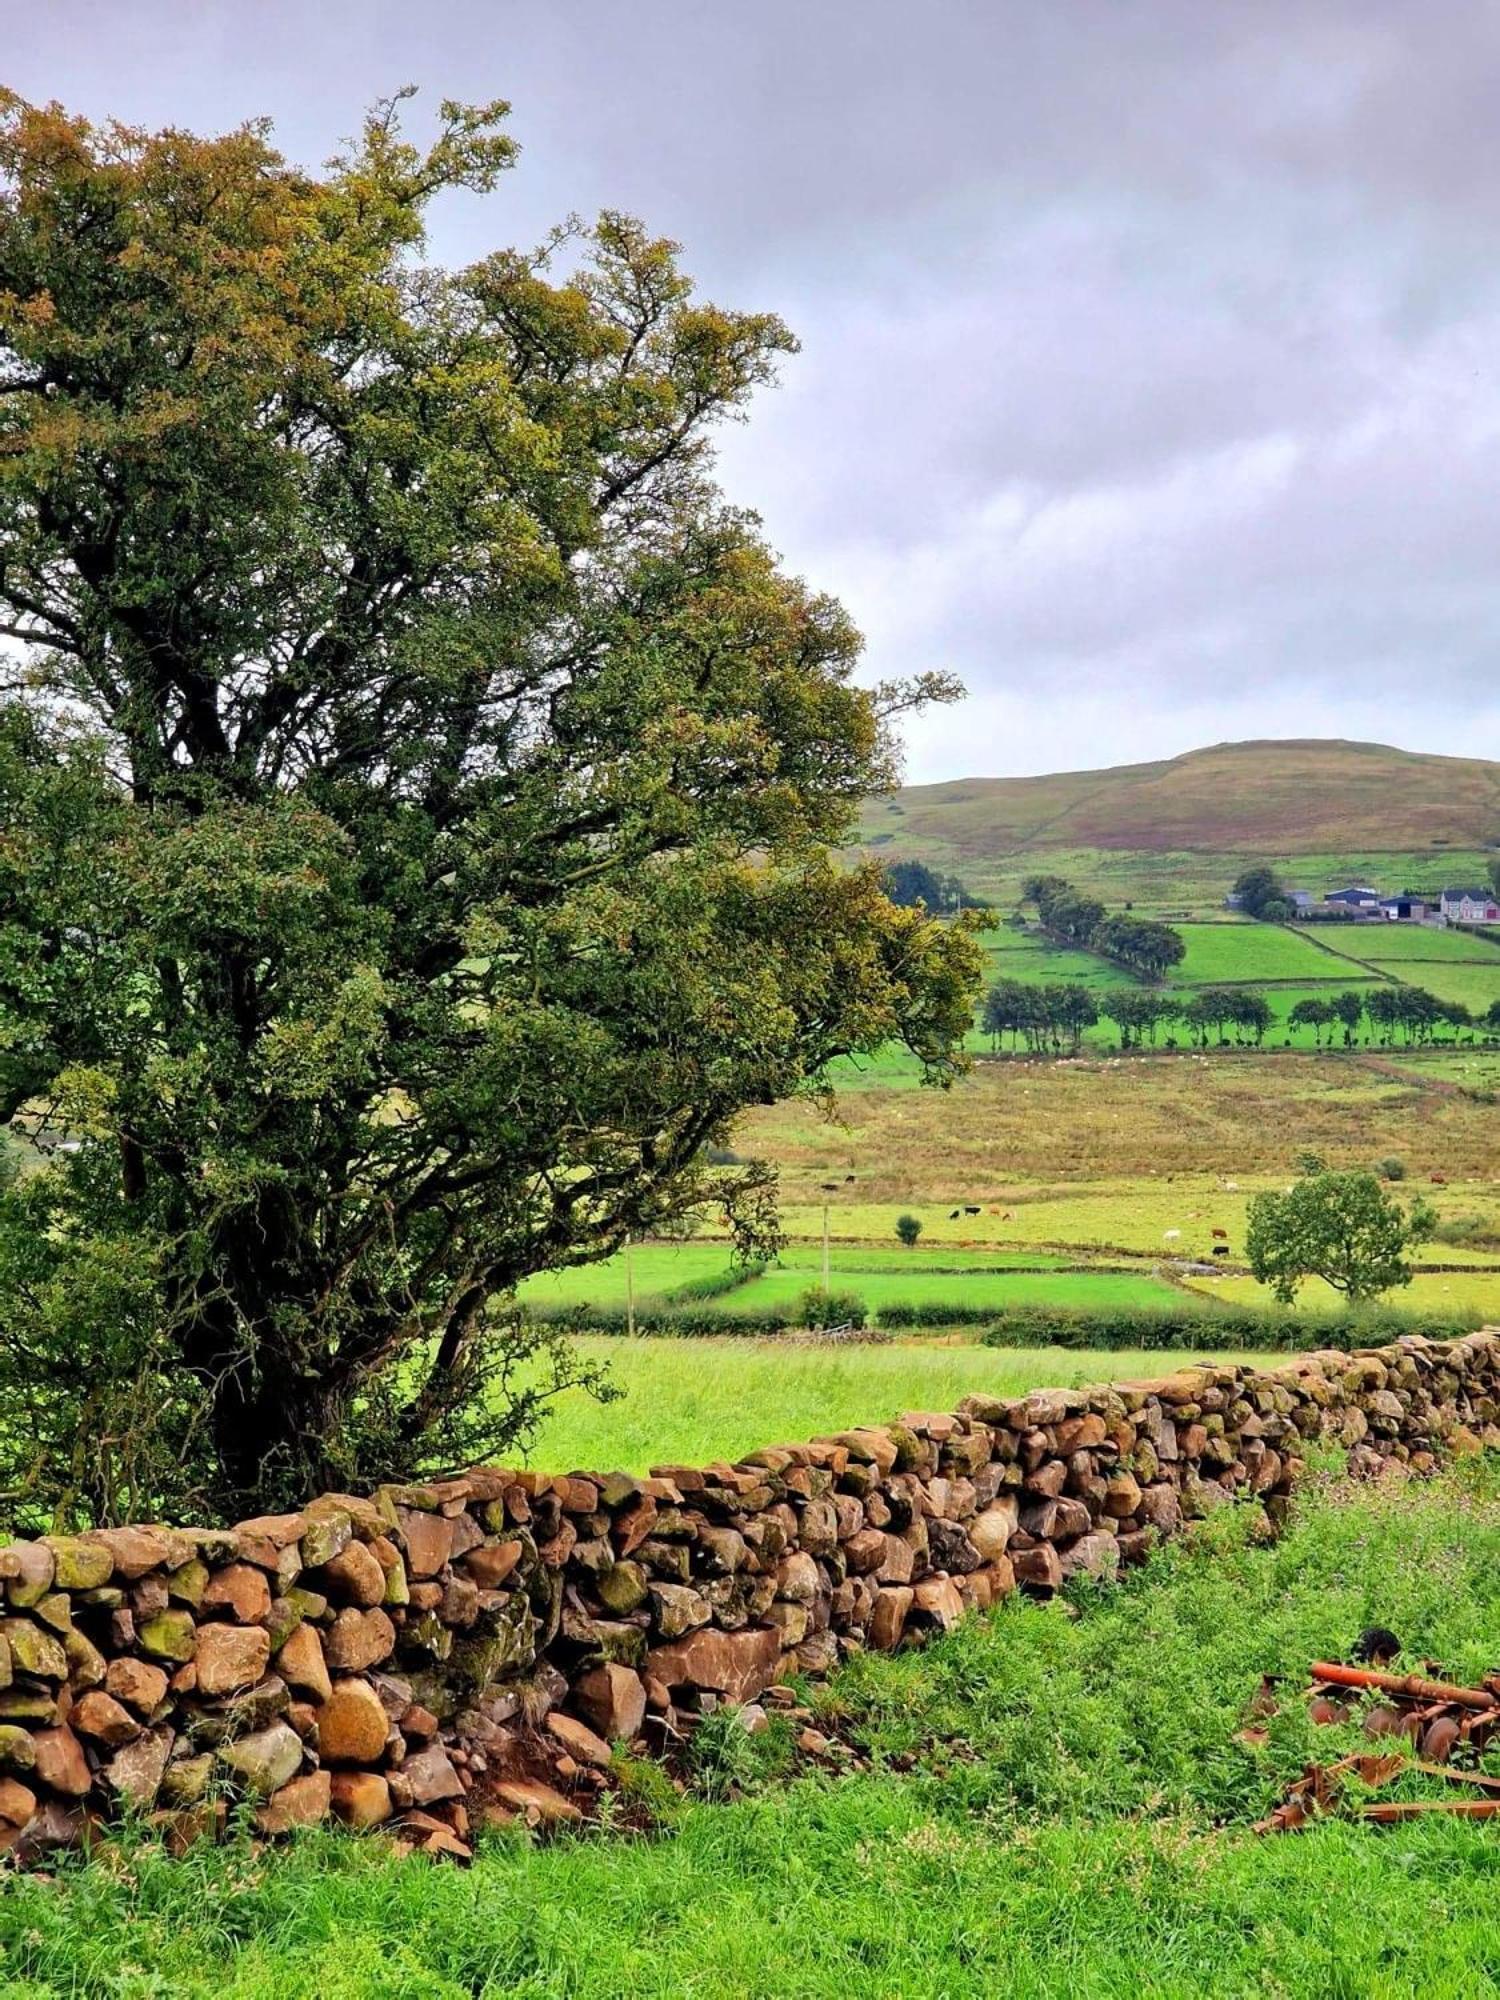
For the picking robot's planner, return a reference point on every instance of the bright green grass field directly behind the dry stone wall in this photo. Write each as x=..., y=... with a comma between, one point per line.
x=691, y=1401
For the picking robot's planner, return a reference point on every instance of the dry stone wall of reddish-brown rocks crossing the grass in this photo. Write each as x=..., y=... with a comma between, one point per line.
x=477, y=1643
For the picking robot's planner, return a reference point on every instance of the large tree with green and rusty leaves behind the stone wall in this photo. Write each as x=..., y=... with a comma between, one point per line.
x=417, y=795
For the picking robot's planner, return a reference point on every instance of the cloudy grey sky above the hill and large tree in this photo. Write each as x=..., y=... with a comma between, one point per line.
x=1151, y=349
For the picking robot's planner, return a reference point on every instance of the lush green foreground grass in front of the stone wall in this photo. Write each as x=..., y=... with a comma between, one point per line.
x=1077, y=1823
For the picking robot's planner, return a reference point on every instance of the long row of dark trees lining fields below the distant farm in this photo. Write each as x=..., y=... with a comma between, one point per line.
x=1051, y=1017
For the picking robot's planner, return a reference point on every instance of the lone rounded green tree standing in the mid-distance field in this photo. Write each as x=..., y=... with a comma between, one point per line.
x=1339, y=1227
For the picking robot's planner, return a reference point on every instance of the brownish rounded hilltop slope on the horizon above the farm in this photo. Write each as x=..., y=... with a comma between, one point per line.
x=1181, y=829
